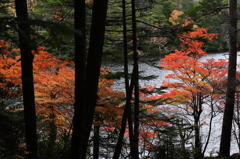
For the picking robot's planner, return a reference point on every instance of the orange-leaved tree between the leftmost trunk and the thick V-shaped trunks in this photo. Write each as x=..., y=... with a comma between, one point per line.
x=54, y=101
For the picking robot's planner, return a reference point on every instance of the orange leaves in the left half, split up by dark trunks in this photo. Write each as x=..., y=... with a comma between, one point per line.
x=54, y=87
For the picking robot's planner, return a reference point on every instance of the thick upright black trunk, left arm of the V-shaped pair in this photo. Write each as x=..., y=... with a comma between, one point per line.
x=80, y=80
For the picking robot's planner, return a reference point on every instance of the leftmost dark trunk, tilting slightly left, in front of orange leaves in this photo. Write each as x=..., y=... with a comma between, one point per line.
x=27, y=78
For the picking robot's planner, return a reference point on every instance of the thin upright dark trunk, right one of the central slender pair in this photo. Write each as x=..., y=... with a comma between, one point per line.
x=136, y=86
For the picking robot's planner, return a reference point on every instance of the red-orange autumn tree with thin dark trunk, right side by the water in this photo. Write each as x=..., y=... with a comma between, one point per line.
x=195, y=81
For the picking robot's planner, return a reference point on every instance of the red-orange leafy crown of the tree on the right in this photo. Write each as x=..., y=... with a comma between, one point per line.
x=191, y=75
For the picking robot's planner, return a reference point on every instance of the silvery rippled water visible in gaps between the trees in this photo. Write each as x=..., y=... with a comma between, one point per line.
x=148, y=69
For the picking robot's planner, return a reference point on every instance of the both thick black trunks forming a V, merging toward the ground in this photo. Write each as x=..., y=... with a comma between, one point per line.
x=86, y=77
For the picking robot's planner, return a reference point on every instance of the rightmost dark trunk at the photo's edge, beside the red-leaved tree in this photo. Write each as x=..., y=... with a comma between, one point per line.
x=231, y=84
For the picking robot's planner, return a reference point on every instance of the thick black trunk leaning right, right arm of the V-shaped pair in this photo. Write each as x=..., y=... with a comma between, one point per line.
x=93, y=67
